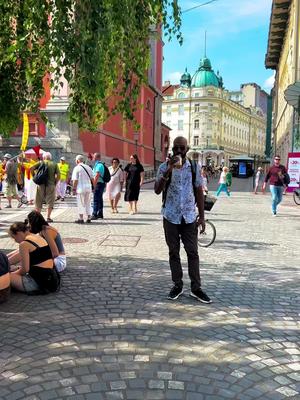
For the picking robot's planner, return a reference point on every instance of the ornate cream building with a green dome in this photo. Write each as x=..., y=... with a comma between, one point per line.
x=217, y=128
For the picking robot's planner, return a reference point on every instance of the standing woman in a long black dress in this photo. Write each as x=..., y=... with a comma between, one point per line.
x=134, y=179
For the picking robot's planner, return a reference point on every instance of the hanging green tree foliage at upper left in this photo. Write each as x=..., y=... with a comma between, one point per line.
x=101, y=47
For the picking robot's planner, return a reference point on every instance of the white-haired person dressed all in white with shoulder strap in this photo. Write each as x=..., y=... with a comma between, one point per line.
x=82, y=179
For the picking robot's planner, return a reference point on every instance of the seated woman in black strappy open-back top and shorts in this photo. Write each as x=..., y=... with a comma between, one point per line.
x=36, y=273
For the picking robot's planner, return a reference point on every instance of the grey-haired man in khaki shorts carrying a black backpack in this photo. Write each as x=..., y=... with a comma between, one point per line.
x=46, y=191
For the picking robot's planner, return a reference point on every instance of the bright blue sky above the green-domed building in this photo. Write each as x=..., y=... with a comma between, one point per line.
x=237, y=34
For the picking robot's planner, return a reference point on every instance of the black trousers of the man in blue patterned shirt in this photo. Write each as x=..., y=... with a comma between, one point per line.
x=188, y=233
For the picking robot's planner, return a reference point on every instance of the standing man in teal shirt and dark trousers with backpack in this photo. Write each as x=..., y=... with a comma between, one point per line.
x=99, y=187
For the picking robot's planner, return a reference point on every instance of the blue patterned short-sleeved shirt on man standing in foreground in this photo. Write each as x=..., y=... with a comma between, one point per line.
x=180, y=200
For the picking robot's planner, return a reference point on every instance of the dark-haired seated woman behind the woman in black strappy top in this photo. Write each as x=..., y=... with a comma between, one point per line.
x=38, y=224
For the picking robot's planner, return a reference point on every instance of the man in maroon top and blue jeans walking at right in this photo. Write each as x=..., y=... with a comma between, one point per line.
x=276, y=176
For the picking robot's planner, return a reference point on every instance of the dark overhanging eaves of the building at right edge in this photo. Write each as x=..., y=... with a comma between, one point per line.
x=278, y=25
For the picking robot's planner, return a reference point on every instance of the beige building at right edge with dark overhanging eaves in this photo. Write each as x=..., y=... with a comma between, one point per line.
x=283, y=56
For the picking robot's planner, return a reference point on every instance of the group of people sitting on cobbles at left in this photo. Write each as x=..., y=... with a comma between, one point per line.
x=35, y=267
